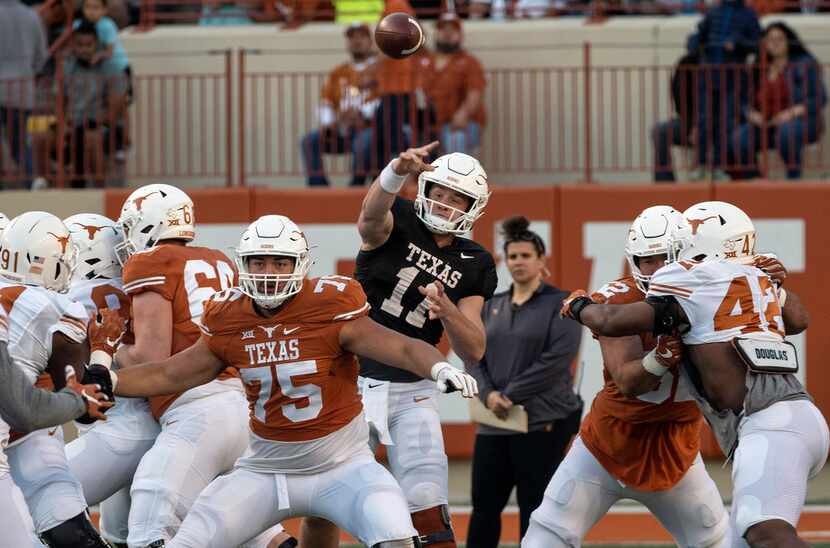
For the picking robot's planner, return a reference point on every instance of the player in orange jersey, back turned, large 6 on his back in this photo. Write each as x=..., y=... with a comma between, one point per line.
x=202, y=428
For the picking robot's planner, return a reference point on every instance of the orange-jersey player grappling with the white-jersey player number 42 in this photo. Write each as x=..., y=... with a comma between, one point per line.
x=641, y=438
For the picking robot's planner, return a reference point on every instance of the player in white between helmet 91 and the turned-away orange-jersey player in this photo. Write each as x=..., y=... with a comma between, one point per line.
x=105, y=457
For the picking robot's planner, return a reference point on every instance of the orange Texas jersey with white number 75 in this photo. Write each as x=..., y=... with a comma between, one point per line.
x=301, y=384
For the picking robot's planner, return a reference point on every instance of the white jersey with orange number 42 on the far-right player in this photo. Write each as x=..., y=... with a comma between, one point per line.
x=723, y=300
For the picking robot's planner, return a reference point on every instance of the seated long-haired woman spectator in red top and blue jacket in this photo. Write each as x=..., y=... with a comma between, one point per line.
x=787, y=103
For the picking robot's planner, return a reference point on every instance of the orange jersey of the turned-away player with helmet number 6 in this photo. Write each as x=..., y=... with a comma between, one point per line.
x=187, y=277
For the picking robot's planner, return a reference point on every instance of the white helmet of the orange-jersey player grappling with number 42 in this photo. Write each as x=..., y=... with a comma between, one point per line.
x=648, y=236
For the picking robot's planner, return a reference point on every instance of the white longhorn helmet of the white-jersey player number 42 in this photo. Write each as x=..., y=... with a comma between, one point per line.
x=716, y=231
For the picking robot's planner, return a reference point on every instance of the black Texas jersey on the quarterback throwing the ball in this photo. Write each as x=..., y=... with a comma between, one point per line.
x=392, y=273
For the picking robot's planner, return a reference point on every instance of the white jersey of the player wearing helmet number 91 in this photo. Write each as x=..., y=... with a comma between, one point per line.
x=34, y=315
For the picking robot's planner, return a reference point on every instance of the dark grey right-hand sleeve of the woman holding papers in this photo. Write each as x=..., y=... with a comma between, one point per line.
x=561, y=348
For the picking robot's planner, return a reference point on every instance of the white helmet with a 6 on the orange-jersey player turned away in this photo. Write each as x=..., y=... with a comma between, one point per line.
x=154, y=213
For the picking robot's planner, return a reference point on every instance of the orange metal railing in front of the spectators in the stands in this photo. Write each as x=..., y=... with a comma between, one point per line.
x=233, y=123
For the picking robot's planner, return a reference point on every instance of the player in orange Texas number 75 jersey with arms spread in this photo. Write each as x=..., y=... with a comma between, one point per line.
x=293, y=340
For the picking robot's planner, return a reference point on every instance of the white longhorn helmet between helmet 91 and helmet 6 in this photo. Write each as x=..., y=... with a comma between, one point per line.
x=96, y=237
